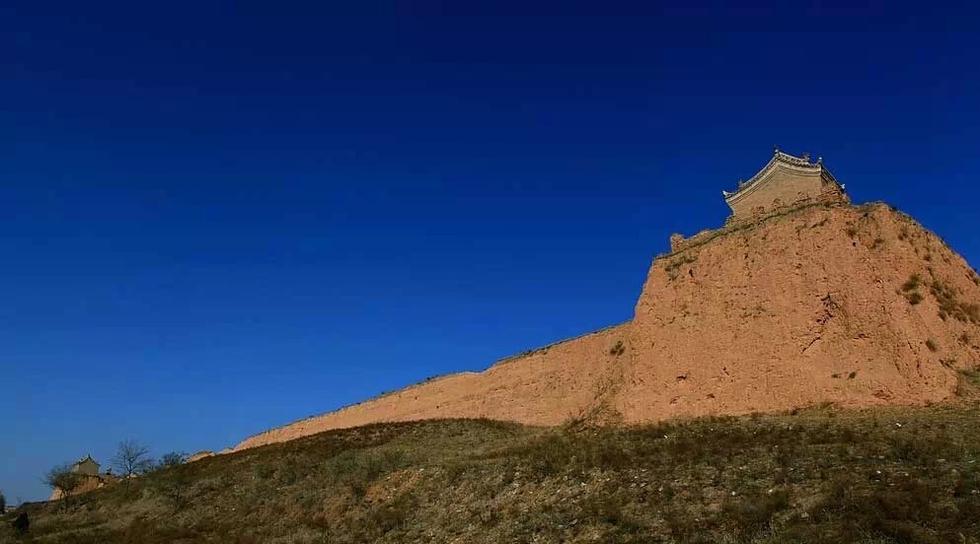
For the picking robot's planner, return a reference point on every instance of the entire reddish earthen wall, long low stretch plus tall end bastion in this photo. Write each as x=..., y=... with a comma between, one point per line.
x=856, y=306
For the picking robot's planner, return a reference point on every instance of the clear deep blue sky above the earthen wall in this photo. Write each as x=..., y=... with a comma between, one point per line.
x=218, y=218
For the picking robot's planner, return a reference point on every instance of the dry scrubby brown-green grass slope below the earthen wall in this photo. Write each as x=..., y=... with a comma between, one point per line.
x=820, y=475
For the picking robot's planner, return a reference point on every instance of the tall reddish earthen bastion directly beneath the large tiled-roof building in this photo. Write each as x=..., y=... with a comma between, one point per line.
x=802, y=308
